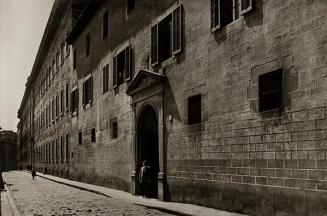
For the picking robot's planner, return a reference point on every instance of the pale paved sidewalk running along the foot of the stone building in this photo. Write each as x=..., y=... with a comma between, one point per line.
x=169, y=207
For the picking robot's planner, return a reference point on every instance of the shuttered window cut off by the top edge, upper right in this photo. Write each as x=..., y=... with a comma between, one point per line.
x=224, y=12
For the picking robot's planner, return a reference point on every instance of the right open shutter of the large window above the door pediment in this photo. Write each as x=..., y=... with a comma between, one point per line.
x=177, y=30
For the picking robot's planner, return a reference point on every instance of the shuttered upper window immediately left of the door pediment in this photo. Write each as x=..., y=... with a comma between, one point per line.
x=122, y=67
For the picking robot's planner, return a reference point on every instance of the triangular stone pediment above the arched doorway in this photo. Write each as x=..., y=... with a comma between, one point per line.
x=143, y=80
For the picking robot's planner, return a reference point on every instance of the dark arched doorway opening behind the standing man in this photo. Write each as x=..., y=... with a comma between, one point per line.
x=148, y=145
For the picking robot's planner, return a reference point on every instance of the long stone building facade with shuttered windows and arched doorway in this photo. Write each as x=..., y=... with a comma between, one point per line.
x=225, y=99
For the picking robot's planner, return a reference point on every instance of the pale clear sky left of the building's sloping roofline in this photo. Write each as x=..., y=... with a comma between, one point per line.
x=22, y=23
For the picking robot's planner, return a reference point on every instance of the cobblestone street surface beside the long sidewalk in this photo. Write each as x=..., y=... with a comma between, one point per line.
x=43, y=197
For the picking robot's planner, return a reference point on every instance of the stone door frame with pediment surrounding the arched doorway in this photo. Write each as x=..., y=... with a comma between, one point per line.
x=147, y=88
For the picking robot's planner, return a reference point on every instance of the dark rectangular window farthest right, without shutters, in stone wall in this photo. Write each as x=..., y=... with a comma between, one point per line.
x=271, y=90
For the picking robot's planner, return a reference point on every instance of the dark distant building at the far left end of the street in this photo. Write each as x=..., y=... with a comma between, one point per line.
x=8, y=150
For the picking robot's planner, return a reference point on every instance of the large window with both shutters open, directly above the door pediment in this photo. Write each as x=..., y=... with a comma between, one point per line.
x=166, y=37
